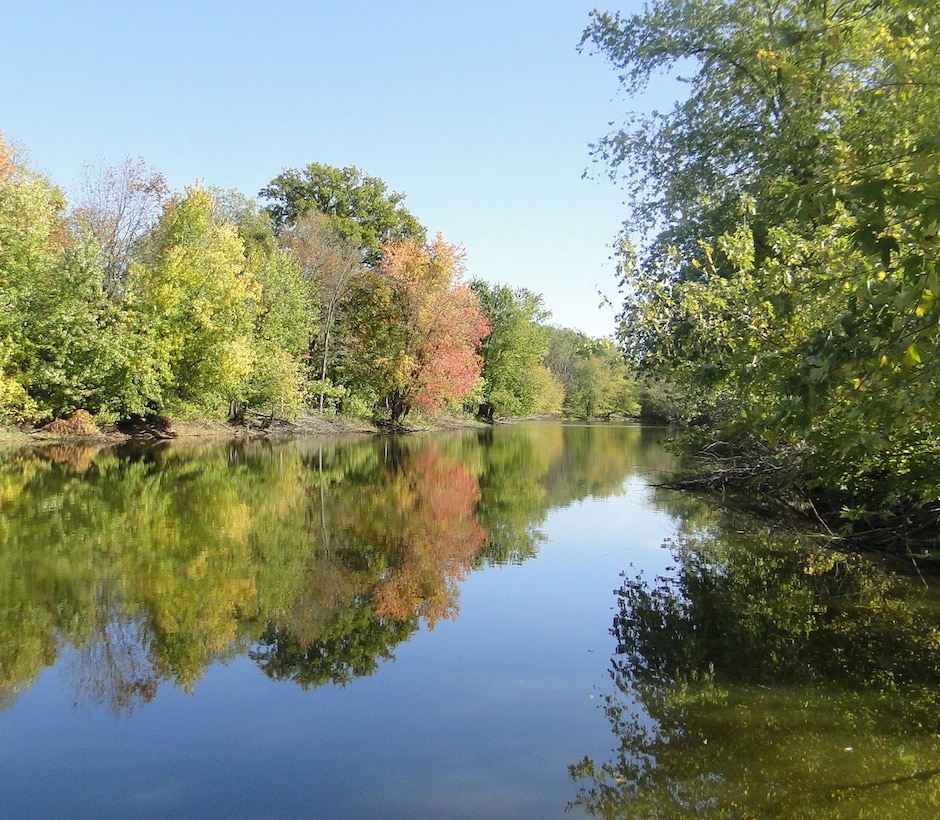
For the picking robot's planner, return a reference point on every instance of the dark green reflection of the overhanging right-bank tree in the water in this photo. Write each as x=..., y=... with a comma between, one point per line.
x=763, y=677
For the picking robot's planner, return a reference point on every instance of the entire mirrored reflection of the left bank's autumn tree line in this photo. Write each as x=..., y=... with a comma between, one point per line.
x=321, y=554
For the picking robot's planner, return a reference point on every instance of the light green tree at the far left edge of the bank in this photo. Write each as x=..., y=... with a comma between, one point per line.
x=57, y=345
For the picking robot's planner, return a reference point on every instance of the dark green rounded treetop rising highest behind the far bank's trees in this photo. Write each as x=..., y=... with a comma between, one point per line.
x=358, y=206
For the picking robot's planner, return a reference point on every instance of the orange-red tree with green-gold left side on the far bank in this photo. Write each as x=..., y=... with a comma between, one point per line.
x=417, y=329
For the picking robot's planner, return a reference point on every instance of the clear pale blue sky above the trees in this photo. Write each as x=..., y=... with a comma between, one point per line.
x=481, y=113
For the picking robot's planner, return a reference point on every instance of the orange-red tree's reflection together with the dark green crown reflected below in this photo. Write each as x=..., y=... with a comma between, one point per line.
x=397, y=537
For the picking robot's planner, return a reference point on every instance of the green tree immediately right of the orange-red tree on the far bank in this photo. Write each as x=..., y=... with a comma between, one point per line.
x=515, y=379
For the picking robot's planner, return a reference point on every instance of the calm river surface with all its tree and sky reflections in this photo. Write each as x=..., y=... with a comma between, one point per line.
x=505, y=623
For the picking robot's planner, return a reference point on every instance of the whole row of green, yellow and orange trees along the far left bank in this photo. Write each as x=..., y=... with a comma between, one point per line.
x=324, y=294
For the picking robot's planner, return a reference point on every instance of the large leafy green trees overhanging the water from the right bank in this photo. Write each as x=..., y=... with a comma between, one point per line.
x=780, y=261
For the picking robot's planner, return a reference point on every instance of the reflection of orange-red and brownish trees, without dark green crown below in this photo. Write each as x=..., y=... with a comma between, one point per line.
x=402, y=532
